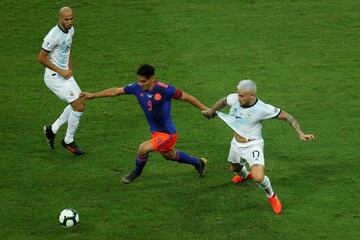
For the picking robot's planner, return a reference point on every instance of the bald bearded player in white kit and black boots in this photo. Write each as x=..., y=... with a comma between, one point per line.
x=55, y=55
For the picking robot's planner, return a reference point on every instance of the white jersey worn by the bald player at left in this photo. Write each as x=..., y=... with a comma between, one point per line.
x=58, y=44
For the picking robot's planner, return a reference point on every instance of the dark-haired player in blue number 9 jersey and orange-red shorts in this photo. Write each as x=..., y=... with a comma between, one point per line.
x=154, y=98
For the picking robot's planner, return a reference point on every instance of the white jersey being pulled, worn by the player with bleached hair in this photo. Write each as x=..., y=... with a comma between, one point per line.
x=247, y=122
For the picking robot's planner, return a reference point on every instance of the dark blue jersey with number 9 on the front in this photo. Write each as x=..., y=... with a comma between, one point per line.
x=156, y=104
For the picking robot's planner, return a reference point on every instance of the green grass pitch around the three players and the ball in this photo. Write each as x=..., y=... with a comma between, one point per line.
x=304, y=57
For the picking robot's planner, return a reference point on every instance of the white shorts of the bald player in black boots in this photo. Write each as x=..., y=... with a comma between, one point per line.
x=66, y=89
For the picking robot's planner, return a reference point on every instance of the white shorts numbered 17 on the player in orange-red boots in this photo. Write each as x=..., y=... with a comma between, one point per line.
x=251, y=152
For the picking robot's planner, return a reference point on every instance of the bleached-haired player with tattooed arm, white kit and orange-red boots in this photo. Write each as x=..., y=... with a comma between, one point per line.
x=246, y=115
